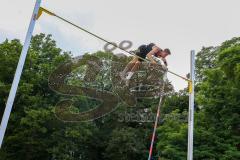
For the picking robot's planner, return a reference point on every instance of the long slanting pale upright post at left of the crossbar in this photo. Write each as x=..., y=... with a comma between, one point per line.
x=18, y=72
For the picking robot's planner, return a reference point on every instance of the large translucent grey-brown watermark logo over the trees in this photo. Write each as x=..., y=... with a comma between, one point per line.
x=92, y=86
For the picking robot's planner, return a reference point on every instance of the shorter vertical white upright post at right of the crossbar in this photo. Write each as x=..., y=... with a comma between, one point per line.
x=191, y=106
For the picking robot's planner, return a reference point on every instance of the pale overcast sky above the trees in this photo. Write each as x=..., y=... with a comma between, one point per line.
x=181, y=25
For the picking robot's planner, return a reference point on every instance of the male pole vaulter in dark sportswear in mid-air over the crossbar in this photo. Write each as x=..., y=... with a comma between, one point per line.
x=150, y=51
